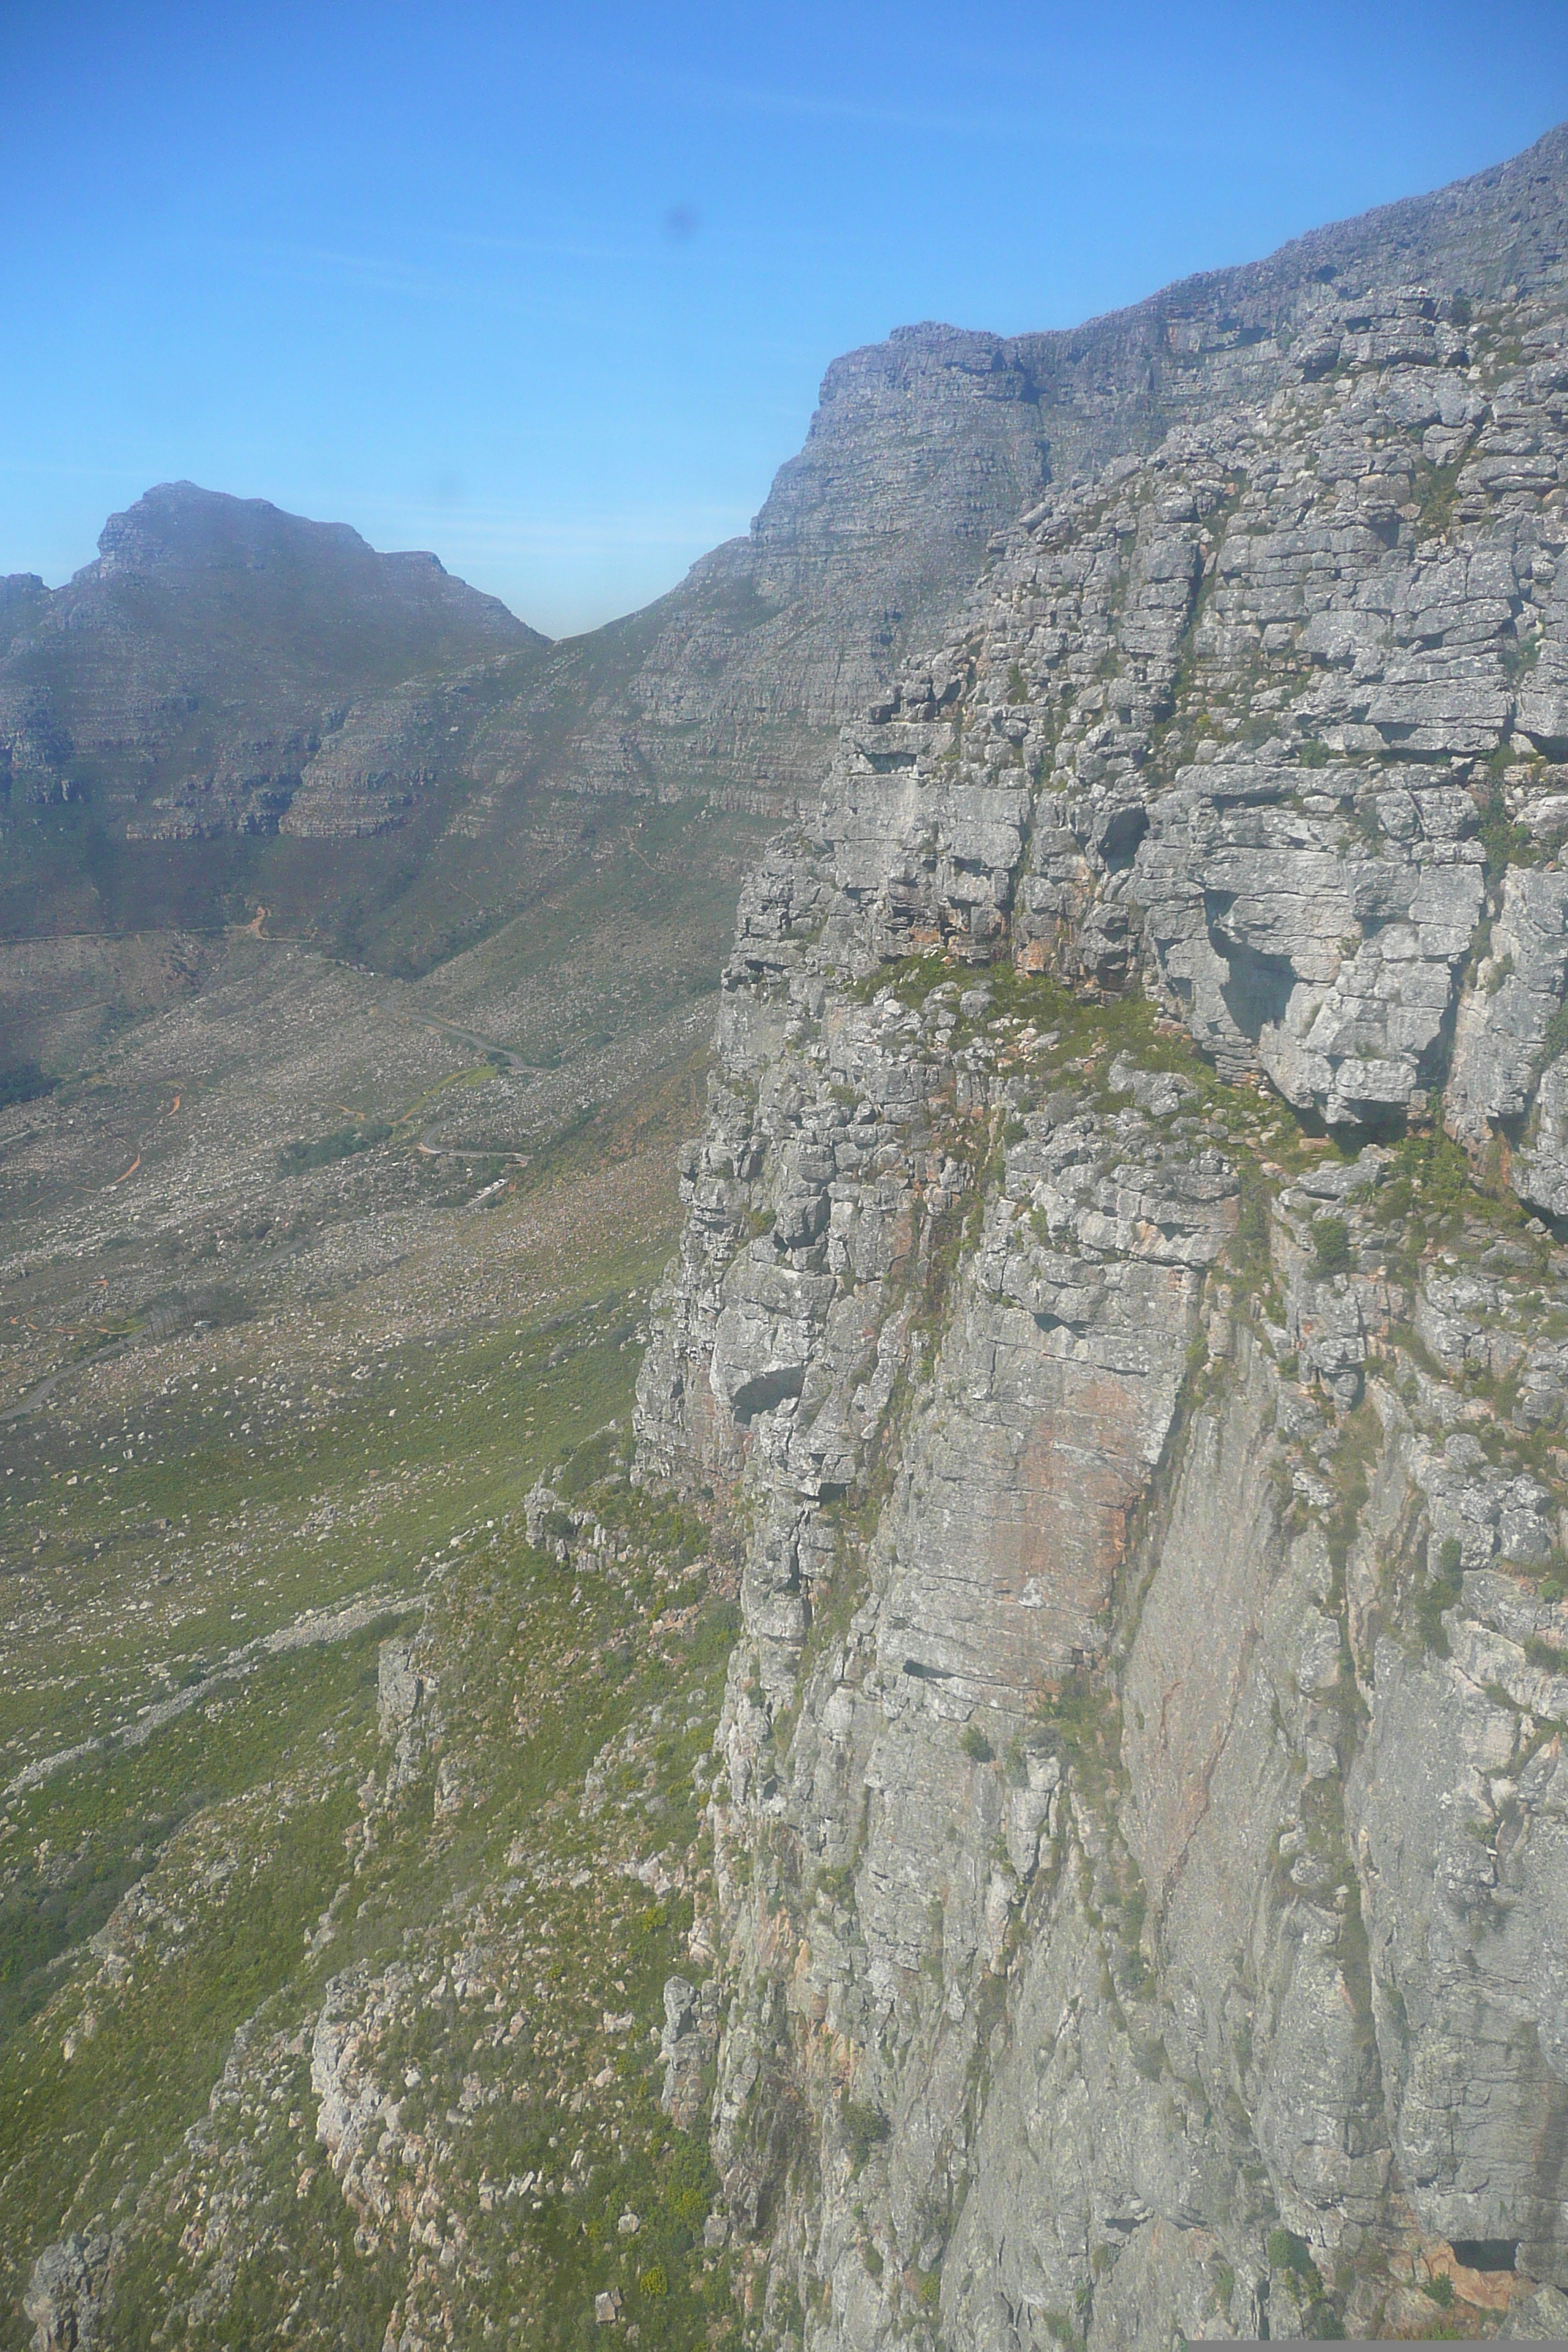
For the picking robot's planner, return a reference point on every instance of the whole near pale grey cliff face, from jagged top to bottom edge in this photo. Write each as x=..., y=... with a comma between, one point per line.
x=1120, y=1316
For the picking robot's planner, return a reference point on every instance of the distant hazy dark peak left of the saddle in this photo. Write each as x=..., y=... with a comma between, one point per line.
x=192, y=676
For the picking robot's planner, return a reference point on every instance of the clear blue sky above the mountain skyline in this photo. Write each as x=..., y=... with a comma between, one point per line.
x=551, y=288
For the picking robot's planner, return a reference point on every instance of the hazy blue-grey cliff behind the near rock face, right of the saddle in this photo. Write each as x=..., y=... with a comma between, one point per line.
x=937, y=439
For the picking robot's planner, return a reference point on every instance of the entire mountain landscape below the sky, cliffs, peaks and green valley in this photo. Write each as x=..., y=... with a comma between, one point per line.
x=786, y=1481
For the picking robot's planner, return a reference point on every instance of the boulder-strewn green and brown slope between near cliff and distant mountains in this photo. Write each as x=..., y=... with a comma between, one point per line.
x=307, y=1274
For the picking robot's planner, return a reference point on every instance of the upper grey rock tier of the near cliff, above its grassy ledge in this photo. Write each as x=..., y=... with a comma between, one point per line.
x=1329, y=688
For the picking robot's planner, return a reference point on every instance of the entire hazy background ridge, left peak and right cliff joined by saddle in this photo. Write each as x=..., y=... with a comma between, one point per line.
x=735, y=683
